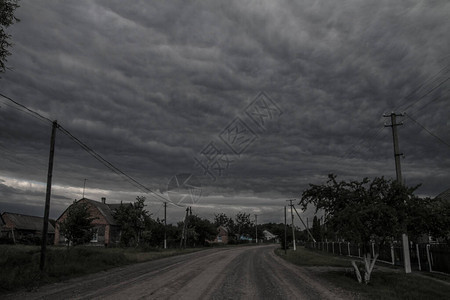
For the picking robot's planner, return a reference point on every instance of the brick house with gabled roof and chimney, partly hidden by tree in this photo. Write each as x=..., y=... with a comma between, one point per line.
x=106, y=232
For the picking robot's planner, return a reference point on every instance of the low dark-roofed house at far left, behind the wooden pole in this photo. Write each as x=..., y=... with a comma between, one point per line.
x=24, y=228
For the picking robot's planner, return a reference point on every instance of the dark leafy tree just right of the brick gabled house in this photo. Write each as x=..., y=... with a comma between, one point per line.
x=131, y=218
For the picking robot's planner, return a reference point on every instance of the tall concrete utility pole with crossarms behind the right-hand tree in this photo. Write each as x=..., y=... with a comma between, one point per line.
x=398, y=171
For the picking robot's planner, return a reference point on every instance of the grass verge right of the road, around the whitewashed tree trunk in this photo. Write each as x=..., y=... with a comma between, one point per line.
x=388, y=283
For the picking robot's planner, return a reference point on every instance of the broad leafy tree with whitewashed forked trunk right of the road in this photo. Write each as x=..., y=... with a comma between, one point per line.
x=370, y=211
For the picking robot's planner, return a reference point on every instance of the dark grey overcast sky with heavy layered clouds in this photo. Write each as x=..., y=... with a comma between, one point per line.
x=271, y=95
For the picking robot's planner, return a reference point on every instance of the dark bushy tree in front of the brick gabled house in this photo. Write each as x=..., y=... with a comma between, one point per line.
x=77, y=226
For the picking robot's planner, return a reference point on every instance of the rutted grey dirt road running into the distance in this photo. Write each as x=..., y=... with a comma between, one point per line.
x=228, y=273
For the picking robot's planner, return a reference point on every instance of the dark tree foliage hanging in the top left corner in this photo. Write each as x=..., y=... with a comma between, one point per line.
x=7, y=18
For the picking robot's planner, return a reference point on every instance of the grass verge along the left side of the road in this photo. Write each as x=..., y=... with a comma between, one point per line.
x=19, y=264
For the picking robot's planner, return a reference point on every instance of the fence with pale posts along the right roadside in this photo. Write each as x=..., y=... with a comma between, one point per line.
x=424, y=257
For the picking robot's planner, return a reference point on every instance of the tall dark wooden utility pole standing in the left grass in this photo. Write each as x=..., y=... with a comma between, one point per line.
x=47, y=196
